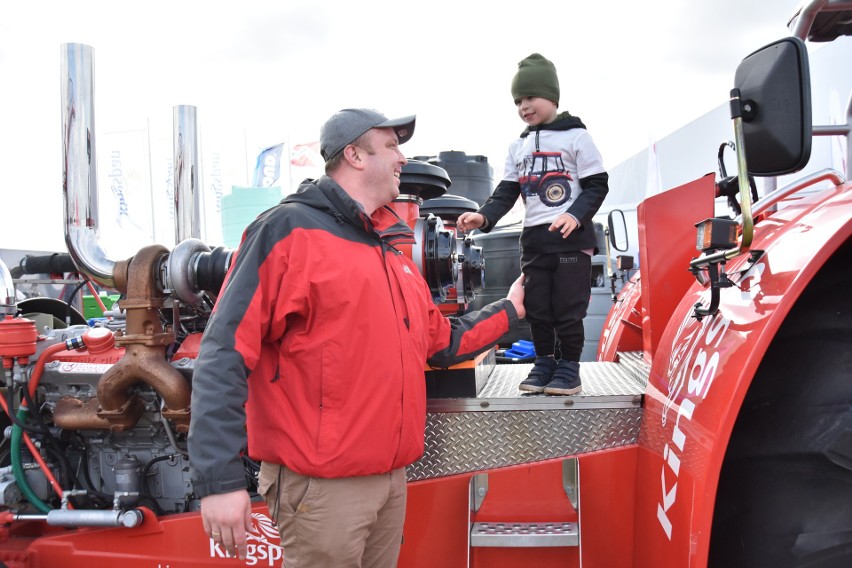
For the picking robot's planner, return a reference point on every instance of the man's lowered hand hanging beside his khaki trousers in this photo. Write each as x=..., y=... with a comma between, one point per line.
x=227, y=519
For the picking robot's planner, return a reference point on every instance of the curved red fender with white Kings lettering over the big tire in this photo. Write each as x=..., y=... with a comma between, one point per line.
x=703, y=369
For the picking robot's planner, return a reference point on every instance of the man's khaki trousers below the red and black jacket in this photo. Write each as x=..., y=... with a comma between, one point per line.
x=336, y=523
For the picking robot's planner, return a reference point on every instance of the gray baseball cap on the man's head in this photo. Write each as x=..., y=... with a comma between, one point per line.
x=345, y=126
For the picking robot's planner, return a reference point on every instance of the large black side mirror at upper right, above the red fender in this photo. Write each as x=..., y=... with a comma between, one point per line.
x=775, y=93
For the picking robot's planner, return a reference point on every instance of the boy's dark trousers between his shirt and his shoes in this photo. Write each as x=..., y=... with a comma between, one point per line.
x=557, y=289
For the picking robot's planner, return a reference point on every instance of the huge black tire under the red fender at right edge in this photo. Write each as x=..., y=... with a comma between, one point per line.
x=785, y=491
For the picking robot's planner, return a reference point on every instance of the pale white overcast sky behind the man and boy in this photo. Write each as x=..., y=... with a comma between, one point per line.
x=633, y=71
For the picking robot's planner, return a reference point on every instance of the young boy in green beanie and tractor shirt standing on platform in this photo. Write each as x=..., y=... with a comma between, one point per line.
x=557, y=170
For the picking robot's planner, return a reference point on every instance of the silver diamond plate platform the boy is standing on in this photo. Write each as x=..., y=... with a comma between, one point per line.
x=503, y=426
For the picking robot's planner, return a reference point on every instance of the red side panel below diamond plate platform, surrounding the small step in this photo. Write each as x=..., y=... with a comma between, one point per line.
x=437, y=525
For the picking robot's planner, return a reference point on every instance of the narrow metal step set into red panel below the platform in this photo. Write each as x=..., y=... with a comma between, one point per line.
x=518, y=535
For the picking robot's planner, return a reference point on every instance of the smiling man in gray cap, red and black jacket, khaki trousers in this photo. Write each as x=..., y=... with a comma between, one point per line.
x=322, y=330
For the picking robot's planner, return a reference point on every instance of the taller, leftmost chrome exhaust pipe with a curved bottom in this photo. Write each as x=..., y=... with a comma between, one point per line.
x=79, y=165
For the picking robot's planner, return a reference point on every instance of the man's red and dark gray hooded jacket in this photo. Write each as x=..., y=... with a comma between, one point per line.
x=316, y=348
